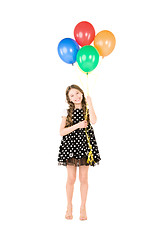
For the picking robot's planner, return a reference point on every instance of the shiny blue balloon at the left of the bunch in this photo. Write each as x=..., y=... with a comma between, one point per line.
x=67, y=50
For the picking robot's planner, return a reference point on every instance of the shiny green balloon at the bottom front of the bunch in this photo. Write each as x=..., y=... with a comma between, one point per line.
x=87, y=58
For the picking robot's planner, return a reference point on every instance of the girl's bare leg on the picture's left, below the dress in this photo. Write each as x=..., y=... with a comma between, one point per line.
x=71, y=177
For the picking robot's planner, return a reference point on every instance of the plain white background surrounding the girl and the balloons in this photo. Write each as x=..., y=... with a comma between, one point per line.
x=125, y=197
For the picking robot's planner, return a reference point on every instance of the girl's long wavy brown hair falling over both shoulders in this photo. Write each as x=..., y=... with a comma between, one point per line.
x=69, y=121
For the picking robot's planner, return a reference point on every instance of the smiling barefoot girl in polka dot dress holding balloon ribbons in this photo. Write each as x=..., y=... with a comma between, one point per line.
x=74, y=148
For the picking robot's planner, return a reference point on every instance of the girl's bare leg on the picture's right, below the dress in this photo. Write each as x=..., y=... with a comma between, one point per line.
x=83, y=177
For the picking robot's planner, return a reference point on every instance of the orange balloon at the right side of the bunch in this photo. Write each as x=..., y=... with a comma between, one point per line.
x=104, y=42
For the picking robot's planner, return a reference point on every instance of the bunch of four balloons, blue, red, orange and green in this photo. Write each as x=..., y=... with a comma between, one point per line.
x=87, y=56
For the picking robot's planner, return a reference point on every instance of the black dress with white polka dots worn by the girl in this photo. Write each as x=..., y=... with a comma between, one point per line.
x=74, y=148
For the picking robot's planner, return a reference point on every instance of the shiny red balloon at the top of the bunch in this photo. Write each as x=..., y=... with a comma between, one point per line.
x=84, y=33
